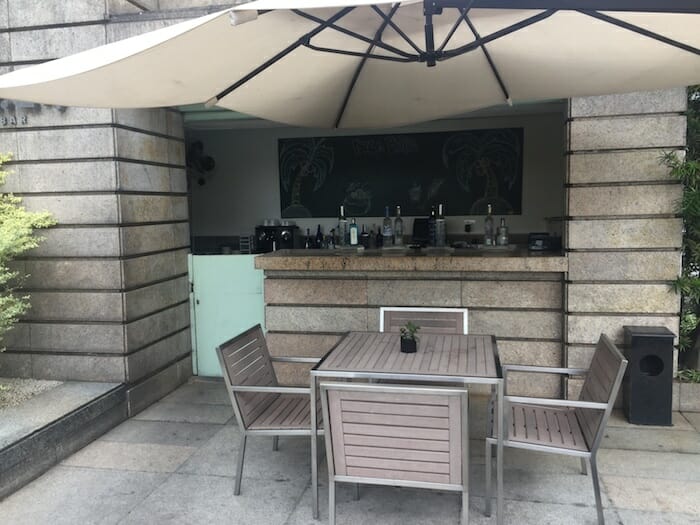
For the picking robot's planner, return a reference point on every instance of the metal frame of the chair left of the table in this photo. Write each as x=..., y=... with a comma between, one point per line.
x=234, y=390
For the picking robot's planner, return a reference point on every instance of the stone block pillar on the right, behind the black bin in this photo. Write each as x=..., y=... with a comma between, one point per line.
x=623, y=238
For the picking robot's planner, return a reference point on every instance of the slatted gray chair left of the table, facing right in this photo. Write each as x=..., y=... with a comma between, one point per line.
x=262, y=406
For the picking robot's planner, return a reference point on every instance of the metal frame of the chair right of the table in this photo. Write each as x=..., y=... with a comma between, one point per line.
x=588, y=457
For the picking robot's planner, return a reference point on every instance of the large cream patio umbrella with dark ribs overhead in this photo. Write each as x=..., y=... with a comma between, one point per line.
x=367, y=63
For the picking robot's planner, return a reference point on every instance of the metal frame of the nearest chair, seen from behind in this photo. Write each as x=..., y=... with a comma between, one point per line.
x=396, y=390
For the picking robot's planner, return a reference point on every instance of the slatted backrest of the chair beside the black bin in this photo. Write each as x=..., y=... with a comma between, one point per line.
x=601, y=385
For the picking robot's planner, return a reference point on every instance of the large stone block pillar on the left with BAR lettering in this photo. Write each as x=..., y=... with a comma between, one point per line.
x=109, y=284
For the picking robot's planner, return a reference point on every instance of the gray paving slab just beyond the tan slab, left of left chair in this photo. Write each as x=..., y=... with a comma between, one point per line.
x=163, y=433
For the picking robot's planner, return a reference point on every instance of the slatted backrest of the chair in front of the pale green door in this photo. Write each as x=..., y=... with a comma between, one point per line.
x=245, y=361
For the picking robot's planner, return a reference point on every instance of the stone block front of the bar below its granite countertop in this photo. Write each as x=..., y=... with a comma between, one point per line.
x=307, y=312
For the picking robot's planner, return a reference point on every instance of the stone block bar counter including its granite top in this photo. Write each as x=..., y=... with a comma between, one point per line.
x=313, y=297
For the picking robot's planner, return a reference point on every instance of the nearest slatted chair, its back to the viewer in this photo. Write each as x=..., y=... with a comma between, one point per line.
x=413, y=436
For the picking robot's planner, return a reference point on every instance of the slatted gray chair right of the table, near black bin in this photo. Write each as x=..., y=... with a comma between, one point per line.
x=562, y=426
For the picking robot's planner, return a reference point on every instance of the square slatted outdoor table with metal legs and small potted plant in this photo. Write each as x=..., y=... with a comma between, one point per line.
x=441, y=358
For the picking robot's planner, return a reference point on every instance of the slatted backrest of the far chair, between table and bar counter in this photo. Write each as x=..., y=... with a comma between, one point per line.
x=433, y=320
